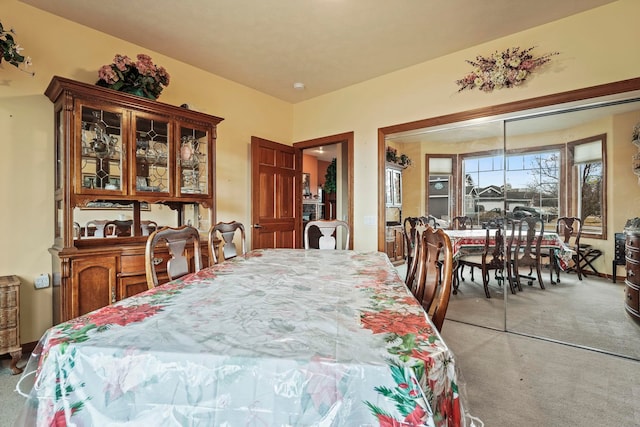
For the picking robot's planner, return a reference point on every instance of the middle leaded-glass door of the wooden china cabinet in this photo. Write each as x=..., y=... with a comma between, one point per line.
x=152, y=155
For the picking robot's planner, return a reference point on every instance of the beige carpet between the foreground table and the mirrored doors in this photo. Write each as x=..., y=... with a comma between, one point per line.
x=511, y=380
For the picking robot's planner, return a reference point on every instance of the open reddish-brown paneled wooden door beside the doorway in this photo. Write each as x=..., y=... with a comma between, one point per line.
x=276, y=196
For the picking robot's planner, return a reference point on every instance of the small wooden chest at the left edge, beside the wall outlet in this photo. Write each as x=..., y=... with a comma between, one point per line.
x=10, y=320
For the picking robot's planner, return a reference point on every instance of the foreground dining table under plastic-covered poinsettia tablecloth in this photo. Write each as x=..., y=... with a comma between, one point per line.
x=278, y=337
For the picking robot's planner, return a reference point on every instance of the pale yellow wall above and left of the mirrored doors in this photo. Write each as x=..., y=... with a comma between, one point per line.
x=587, y=58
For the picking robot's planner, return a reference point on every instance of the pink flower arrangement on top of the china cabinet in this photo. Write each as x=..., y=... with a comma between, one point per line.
x=141, y=77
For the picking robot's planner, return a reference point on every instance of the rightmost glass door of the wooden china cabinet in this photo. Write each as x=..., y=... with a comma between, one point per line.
x=193, y=162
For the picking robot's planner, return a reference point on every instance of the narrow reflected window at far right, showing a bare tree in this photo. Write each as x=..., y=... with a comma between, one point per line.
x=588, y=183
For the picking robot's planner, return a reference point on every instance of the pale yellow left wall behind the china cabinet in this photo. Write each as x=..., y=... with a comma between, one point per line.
x=60, y=47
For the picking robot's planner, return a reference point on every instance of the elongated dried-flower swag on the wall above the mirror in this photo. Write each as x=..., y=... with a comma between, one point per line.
x=502, y=69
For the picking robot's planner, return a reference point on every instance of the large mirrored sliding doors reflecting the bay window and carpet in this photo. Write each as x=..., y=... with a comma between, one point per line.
x=566, y=155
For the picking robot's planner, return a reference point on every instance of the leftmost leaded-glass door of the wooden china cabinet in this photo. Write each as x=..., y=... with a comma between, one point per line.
x=101, y=150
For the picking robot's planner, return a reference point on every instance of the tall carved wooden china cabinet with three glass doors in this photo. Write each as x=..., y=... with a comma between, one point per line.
x=116, y=150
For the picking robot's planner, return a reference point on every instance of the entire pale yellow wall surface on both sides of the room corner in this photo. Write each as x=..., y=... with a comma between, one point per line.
x=59, y=47
